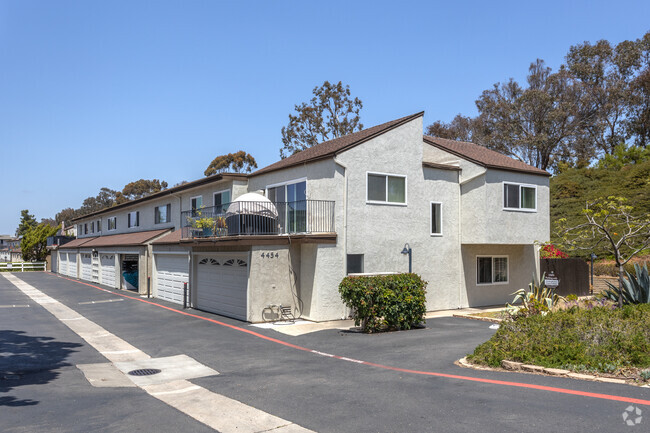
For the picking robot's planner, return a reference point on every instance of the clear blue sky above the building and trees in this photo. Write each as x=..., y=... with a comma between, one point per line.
x=96, y=94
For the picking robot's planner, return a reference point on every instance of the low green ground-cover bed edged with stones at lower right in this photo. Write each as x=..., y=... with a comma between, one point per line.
x=597, y=339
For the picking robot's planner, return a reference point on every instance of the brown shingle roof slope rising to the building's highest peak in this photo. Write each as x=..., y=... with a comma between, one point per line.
x=328, y=149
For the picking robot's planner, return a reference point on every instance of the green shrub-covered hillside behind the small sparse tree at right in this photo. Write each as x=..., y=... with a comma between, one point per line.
x=571, y=189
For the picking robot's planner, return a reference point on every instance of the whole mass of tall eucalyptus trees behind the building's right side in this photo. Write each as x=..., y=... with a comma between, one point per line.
x=595, y=103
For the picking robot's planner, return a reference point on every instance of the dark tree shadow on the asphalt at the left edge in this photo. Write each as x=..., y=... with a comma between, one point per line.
x=27, y=360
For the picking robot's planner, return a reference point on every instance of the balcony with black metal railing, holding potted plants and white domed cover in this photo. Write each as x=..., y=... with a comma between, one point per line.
x=241, y=218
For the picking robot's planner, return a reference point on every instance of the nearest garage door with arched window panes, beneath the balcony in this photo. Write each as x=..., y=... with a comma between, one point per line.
x=221, y=284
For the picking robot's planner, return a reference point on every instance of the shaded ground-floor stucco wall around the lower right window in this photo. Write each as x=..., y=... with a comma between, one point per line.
x=521, y=268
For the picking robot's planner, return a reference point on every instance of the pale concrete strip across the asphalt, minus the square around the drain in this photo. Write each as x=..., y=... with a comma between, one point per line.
x=214, y=410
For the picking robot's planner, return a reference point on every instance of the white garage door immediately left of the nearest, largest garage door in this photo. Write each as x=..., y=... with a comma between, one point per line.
x=171, y=274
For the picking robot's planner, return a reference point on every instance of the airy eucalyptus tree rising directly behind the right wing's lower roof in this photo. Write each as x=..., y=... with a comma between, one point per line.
x=540, y=124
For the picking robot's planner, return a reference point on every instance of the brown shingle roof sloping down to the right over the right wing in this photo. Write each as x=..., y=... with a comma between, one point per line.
x=482, y=155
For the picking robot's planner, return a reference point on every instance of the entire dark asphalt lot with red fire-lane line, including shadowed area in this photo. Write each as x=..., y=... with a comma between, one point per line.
x=403, y=385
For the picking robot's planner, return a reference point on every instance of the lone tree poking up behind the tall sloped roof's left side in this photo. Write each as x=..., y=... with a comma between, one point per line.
x=331, y=113
